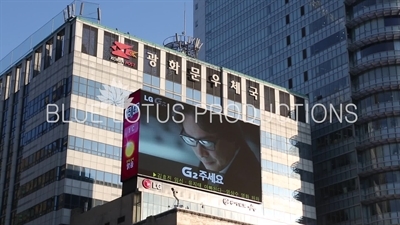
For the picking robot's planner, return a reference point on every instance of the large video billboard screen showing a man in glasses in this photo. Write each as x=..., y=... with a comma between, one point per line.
x=191, y=146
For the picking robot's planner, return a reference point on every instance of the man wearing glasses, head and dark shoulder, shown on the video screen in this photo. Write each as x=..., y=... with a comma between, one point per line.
x=220, y=146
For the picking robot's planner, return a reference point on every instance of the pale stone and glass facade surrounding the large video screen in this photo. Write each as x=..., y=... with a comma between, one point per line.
x=62, y=132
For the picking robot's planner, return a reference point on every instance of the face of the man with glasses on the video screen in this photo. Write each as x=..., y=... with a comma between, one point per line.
x=213, y=152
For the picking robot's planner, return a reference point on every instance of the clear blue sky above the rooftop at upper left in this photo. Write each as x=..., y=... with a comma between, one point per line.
x=150, y=20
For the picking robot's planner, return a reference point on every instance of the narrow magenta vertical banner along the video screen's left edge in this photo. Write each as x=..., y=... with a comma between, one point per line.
x=130, y=140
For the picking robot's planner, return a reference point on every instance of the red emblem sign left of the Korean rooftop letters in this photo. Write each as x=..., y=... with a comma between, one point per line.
x=125, y=53
